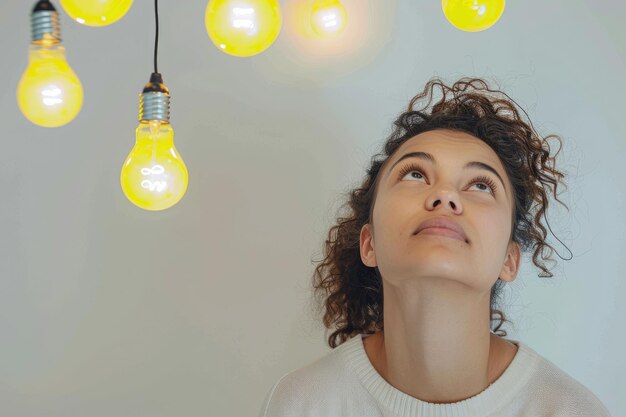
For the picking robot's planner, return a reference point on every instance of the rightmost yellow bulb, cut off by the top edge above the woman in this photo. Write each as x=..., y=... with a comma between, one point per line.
x=472, y=15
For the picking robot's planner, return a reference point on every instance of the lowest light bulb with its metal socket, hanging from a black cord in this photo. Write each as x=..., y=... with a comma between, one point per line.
x=154, y=175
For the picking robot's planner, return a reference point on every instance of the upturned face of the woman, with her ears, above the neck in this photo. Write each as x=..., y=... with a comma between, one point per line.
x=407, y=196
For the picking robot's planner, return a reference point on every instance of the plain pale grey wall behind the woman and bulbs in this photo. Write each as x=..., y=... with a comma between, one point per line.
x=107, y=309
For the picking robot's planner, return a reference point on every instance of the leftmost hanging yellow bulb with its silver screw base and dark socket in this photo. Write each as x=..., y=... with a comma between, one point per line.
x=49, y=93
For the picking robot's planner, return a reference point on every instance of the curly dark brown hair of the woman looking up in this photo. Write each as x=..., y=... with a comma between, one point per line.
x=349, y=292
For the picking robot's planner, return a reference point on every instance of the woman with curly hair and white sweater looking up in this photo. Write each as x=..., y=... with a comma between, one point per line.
x=411, y=275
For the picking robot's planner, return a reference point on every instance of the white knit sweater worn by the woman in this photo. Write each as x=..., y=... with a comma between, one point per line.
x=344, y=383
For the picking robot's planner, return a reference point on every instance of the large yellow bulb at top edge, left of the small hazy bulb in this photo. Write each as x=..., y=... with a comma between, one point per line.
x=243, y=27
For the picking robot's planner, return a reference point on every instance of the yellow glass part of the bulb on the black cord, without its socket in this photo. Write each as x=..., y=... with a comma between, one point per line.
x=154, y=175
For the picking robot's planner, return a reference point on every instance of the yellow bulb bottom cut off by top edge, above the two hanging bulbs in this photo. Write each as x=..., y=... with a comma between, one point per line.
x=96, y=12
